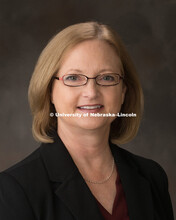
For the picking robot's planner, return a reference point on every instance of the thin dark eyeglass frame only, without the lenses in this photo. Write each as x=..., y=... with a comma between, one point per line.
x=61, y=78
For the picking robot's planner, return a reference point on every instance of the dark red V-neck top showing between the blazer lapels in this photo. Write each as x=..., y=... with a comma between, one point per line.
x=120, y=210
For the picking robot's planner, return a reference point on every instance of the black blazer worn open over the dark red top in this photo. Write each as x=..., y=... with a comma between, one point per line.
x=48, y=186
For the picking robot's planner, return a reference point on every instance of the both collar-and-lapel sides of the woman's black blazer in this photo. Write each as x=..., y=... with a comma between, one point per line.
x=72, y=189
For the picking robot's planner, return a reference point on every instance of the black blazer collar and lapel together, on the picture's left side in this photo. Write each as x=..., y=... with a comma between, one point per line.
x=70, y=186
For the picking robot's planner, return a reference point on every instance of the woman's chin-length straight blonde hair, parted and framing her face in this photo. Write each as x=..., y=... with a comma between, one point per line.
x=123, y=129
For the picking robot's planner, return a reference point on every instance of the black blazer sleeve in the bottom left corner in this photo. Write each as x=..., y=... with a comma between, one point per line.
x=13, y=202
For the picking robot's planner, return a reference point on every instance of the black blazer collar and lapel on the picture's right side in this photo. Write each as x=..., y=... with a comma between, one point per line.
x=136, y=188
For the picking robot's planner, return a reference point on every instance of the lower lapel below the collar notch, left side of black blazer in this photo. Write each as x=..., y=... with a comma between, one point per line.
x=77, y=196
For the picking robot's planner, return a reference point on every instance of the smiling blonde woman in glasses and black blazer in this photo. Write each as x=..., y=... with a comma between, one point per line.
x=78, y=173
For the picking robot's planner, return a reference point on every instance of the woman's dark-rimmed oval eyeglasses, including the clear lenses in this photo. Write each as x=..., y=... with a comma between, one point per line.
x=75, y=80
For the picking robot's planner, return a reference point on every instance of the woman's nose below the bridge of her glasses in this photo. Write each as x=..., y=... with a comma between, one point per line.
x=90, y=90
